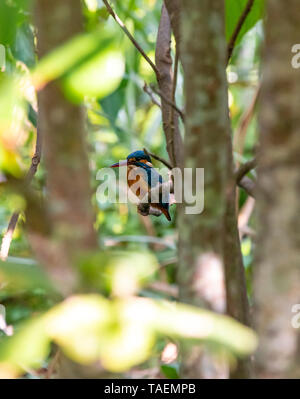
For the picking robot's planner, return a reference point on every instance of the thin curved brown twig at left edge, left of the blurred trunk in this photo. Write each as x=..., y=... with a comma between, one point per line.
x=7, y=238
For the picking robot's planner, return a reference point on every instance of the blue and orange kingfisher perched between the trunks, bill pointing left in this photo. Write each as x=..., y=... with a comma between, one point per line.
x=147, y=178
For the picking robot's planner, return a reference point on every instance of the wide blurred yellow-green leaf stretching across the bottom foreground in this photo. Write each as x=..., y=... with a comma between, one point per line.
x=120, y=333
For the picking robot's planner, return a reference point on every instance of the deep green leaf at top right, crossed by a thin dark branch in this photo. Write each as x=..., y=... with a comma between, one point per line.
x=233, y=11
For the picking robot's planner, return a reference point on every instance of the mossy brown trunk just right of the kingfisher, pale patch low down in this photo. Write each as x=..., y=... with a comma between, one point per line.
x=201, y=275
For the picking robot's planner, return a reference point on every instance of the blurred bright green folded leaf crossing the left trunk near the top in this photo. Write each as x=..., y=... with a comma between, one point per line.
x=90, y=64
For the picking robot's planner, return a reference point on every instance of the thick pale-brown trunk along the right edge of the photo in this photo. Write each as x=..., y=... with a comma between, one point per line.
x=277, y=274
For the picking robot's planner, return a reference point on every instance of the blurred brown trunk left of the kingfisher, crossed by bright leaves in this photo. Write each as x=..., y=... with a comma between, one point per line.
x=68, y=189
